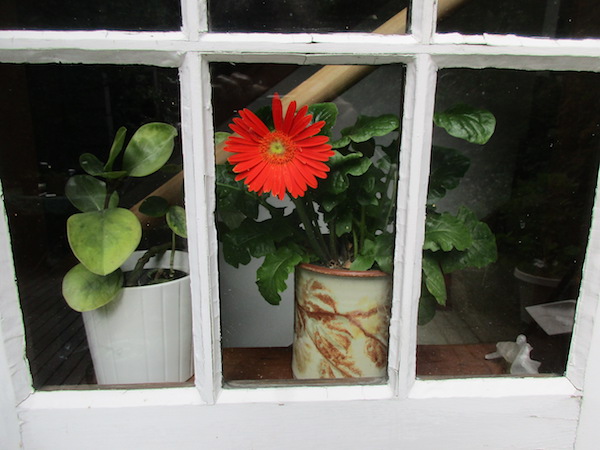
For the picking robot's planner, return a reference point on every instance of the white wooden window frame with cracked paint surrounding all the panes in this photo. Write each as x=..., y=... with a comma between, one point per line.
x=544, y=412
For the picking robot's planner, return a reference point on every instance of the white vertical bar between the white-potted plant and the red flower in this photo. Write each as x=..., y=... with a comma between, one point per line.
x=198, y=147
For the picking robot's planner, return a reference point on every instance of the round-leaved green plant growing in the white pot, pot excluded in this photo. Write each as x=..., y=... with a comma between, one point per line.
x=104, y=235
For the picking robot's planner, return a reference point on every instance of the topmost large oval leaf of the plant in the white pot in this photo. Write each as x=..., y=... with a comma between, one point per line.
x=149, y=149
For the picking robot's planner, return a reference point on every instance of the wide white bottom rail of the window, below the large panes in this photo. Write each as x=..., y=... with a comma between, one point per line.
x=532, y=422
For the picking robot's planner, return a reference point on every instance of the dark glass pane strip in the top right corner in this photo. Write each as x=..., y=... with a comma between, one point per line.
x=549, y=18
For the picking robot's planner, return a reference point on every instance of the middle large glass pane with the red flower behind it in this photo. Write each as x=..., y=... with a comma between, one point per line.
x=265, y=238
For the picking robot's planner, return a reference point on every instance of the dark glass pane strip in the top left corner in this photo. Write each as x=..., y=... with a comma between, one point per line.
x=88, y=15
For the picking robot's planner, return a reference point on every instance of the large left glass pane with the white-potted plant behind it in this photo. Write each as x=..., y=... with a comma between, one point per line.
x=56, y=119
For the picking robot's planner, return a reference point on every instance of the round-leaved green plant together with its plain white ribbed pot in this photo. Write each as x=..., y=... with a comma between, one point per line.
x=135, y=304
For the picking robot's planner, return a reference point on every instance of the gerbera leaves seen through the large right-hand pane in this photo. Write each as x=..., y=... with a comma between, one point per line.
x=453, y=241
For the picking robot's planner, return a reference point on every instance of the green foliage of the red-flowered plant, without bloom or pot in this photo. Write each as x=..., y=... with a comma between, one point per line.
x=347, y=221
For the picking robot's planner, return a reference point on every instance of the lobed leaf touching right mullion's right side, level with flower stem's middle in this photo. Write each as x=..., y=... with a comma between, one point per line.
x=445, y=232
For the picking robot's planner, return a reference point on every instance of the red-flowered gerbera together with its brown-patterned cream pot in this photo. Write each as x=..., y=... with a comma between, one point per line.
x=338, y=238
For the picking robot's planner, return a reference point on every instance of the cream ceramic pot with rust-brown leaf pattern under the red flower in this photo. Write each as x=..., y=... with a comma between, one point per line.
x=341, y=323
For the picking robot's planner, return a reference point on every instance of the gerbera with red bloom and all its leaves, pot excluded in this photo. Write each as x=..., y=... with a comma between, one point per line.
x=293, y=191
